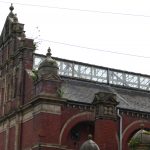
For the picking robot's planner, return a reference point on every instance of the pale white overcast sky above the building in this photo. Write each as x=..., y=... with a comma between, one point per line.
x=110, y=33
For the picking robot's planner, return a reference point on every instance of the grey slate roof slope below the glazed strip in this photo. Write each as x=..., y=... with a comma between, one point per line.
x=84, y=91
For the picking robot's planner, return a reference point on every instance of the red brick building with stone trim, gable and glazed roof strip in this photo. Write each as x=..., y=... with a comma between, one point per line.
x=54, y=104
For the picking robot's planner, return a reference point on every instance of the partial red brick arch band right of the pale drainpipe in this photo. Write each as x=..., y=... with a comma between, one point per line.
x=131, y=129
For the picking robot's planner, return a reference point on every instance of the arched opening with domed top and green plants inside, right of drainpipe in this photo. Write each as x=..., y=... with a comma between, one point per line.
x=140, y=140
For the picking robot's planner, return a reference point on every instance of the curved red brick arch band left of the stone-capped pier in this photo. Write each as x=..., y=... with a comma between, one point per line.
x=71, y=122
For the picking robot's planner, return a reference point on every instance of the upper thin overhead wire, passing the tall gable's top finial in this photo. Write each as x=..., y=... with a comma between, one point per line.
x=76, y=9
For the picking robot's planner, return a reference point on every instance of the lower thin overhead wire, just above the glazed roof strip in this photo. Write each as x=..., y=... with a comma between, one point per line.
x=95, y=49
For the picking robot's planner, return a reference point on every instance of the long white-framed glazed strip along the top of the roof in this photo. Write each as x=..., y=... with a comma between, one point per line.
x=98, y=74
